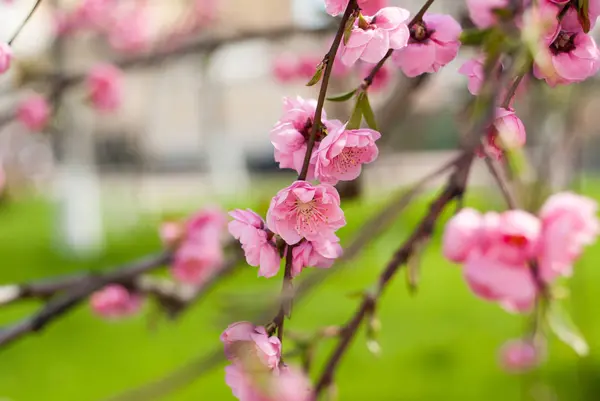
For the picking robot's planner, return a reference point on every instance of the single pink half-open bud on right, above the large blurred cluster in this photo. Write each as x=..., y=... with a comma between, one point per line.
x=507, y=132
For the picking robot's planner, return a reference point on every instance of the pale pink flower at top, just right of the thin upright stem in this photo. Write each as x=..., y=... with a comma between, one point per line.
x=373, y=36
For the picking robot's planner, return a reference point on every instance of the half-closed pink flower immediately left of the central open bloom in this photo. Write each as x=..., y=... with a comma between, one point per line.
x=257, y=242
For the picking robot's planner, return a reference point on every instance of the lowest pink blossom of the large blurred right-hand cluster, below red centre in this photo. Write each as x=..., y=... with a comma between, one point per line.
x=491, y=278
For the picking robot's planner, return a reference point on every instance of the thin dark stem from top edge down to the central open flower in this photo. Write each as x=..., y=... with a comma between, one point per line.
x=328, y=60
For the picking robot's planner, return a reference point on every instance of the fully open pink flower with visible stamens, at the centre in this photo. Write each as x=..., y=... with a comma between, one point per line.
x=306, y=211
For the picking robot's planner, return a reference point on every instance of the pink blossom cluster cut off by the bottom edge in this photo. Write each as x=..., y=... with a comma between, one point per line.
x=256, y=372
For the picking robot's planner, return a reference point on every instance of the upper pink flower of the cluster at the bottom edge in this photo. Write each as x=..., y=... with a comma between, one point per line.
x=250, y=344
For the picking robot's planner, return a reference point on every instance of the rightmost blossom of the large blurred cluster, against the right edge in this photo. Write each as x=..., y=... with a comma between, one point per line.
x=569, y=223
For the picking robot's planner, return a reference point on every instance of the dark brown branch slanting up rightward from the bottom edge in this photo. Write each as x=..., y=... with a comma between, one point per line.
x=453, y=190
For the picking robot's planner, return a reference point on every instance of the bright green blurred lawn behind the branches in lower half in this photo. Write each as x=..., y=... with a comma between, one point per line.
x=438, y=345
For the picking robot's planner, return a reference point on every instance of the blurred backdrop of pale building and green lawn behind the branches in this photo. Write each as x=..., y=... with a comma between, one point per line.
x=204, y=83
